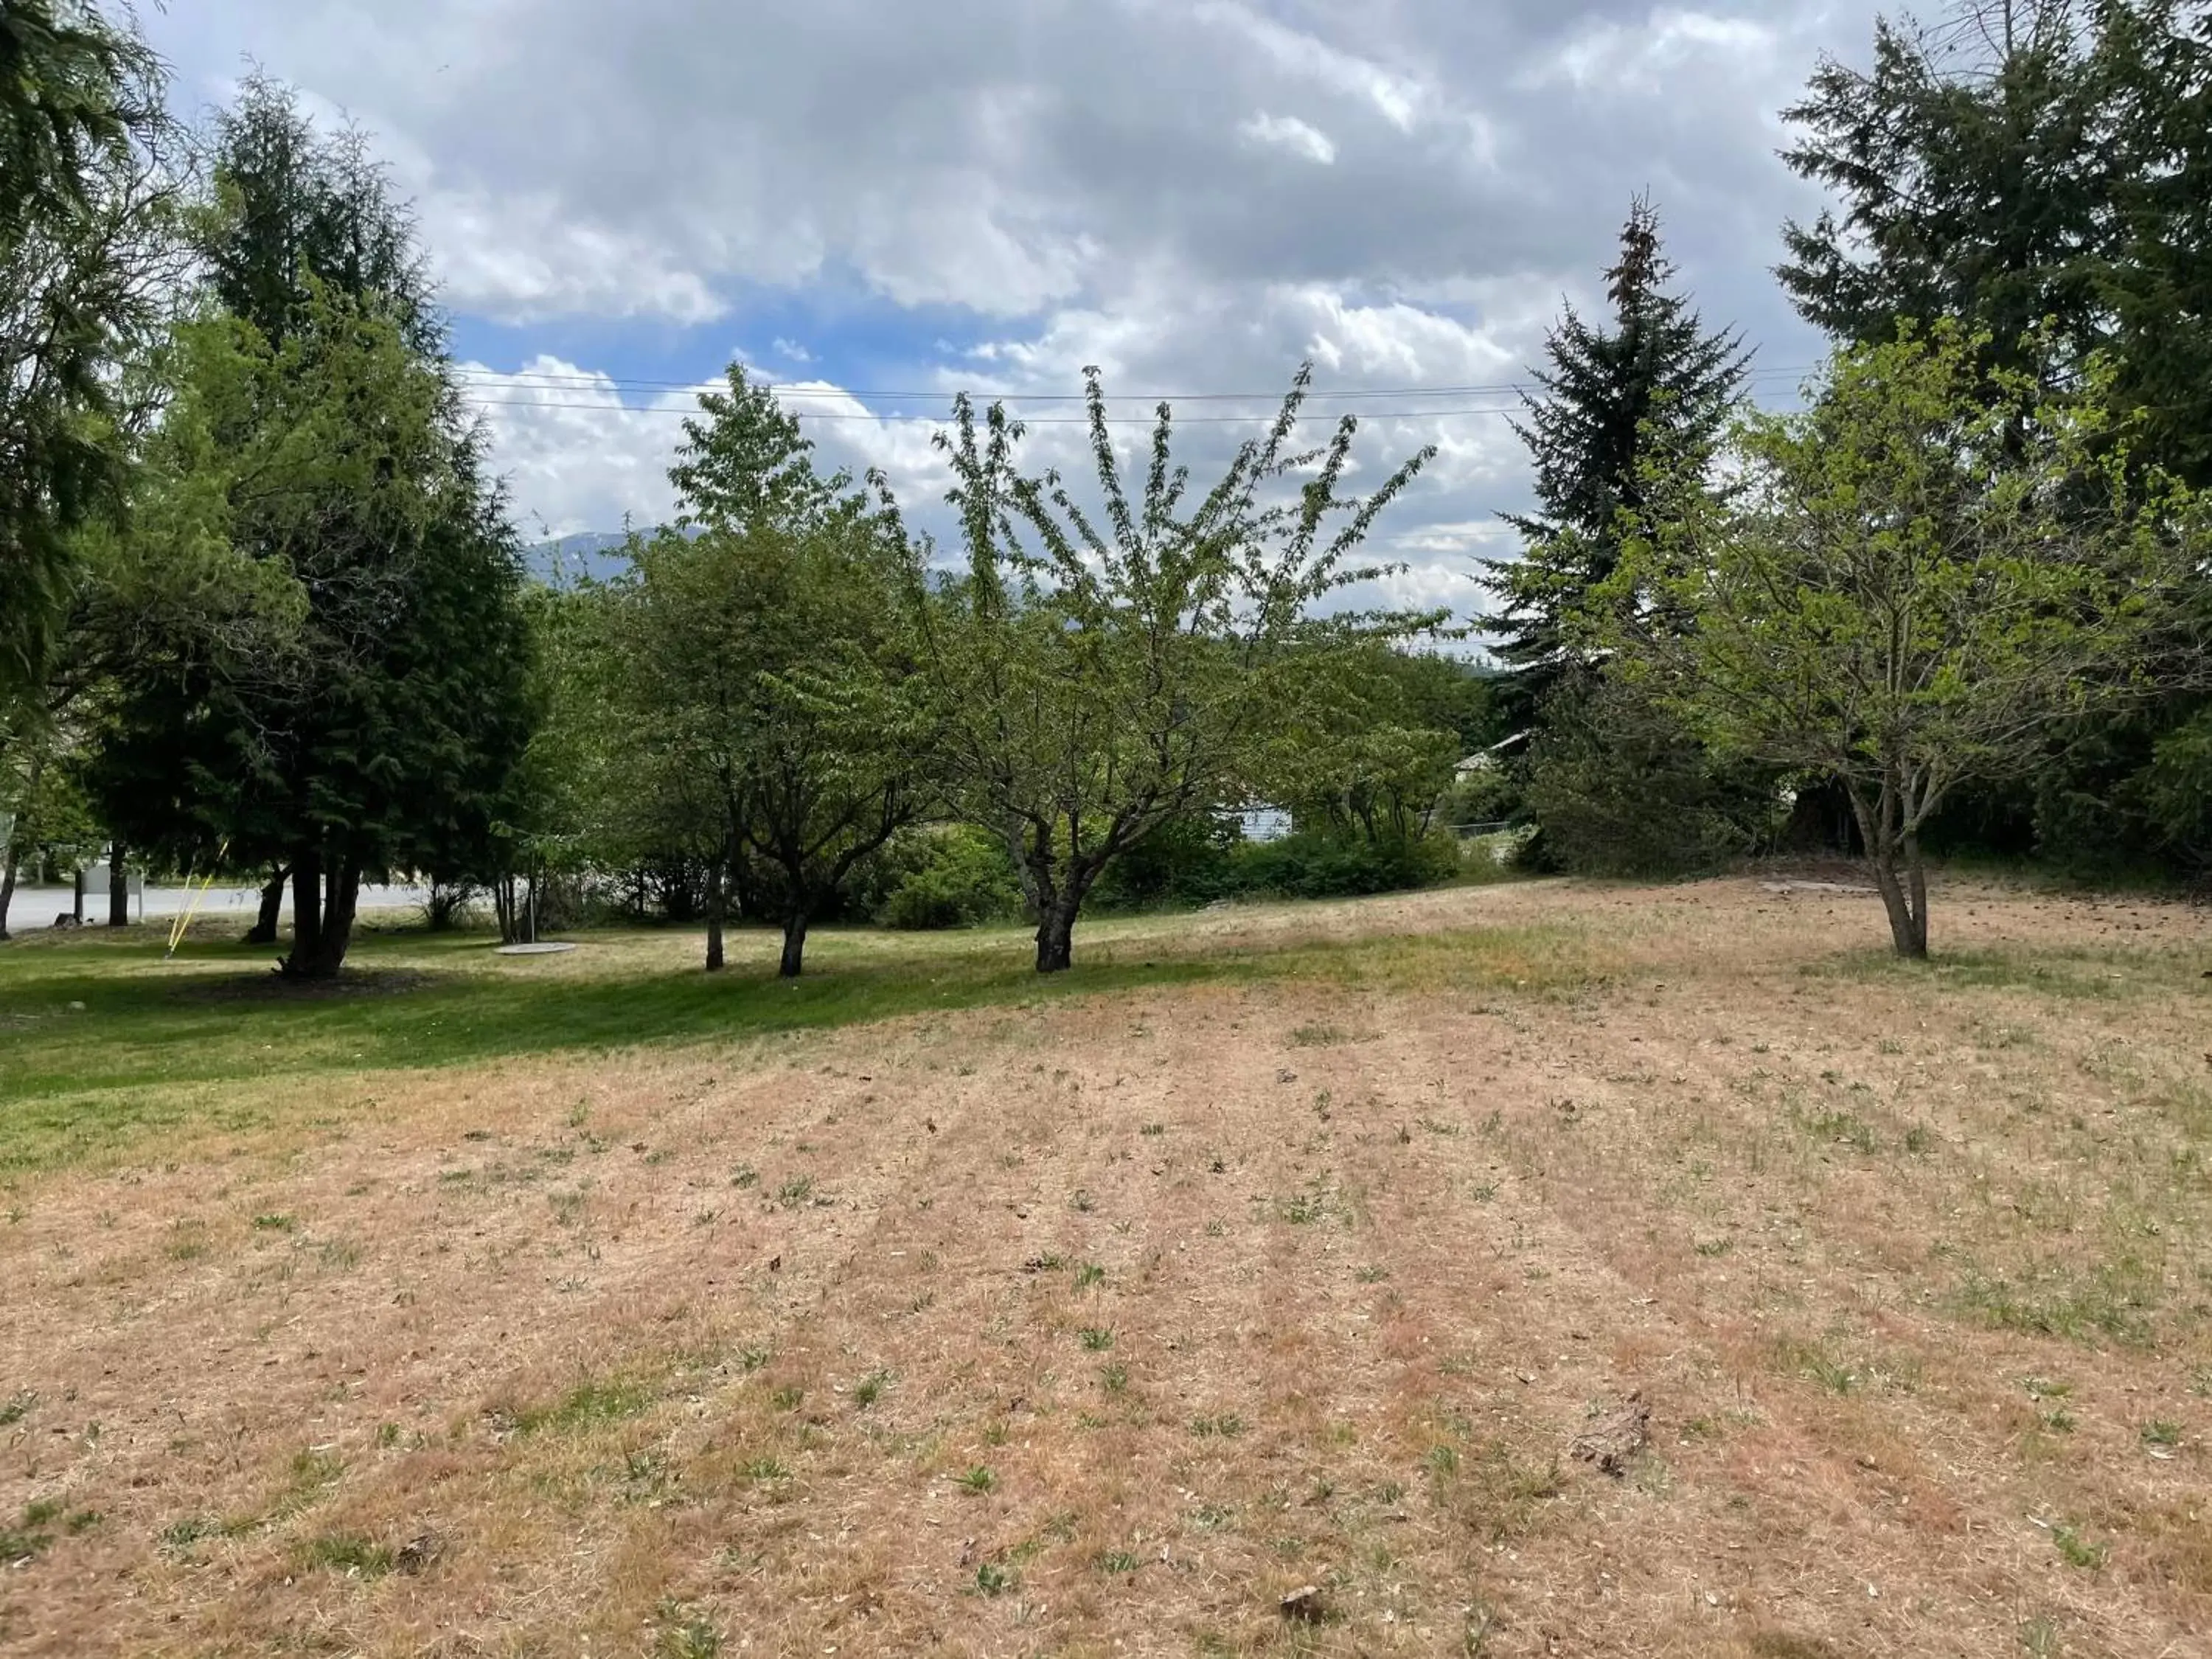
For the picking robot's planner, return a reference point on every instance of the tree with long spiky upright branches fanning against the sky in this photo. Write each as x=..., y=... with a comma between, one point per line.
x=1100, y=680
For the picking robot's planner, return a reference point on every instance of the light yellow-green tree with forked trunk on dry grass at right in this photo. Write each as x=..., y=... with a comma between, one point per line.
x=1903, y=594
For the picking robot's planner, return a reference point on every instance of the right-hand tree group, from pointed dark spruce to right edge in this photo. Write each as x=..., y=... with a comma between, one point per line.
x=1961, y=598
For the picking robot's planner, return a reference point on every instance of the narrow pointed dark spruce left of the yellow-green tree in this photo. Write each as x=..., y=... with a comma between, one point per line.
x=1614, y=395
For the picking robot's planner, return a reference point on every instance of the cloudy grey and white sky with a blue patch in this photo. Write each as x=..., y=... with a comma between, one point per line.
x=884, y=202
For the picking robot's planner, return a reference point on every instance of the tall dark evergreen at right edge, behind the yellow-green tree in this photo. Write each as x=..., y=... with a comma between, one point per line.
x=2041, y=171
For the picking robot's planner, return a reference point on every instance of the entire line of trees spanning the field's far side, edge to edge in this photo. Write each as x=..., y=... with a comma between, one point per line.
x=264, y=609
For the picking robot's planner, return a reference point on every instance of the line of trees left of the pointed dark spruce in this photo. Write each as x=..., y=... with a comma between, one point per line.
x=269, y=612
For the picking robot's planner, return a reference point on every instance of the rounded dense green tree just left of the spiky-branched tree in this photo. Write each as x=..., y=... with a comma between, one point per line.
x=766, y=669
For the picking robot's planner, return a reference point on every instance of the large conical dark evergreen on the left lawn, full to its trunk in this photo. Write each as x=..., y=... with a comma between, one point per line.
x=317, y=432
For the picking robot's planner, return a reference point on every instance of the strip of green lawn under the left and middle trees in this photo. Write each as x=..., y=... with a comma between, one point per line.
x=101, y=1036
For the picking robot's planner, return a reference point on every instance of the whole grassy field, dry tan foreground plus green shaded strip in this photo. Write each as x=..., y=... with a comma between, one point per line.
x=528, y=1306
